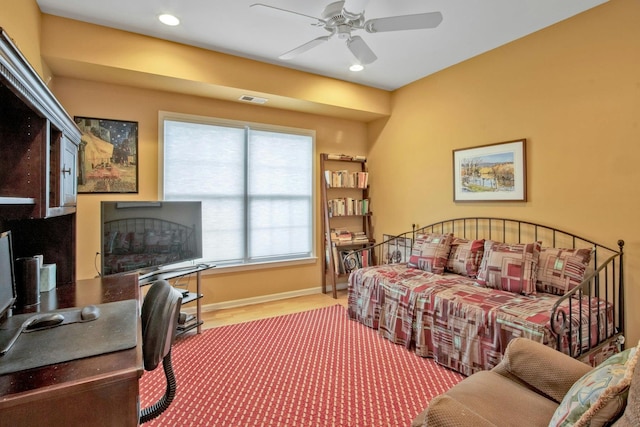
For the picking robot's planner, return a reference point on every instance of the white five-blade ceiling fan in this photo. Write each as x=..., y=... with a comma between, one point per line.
x=342, y=17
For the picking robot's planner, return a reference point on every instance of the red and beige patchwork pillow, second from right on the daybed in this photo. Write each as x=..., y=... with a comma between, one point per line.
x=510, y=267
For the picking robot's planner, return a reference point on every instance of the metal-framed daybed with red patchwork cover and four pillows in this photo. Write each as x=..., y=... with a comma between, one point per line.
x=470, y=285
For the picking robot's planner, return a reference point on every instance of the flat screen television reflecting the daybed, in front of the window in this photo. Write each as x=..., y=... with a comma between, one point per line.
x=147, y=236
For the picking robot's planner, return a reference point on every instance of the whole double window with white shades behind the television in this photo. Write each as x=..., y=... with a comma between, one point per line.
x=255, y=183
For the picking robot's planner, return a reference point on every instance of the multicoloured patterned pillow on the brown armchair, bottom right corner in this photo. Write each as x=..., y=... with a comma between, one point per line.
x=600, y=396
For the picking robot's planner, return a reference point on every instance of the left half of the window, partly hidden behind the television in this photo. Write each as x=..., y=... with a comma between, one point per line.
x=206, y=162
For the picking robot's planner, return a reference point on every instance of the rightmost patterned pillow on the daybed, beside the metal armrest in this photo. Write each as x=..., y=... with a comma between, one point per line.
x=560, y=270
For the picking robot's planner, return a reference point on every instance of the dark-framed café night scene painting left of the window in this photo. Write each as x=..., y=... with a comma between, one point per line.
x=108, y=156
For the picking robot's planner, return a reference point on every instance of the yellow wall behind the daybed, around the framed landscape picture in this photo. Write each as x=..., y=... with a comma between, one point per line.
x=573, y=90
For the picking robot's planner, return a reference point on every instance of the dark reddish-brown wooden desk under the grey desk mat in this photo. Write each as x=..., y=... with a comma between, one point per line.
x=95, y=391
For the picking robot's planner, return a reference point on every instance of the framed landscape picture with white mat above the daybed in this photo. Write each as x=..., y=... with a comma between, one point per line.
x=495, y=172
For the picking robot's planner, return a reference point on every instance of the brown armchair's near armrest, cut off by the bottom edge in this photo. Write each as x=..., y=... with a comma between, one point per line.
x=445, y=411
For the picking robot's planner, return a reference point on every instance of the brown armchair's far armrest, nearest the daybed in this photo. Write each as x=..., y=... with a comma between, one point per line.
x=541, y=368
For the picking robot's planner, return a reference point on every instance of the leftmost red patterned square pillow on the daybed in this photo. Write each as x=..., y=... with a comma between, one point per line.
x=430, y=252
